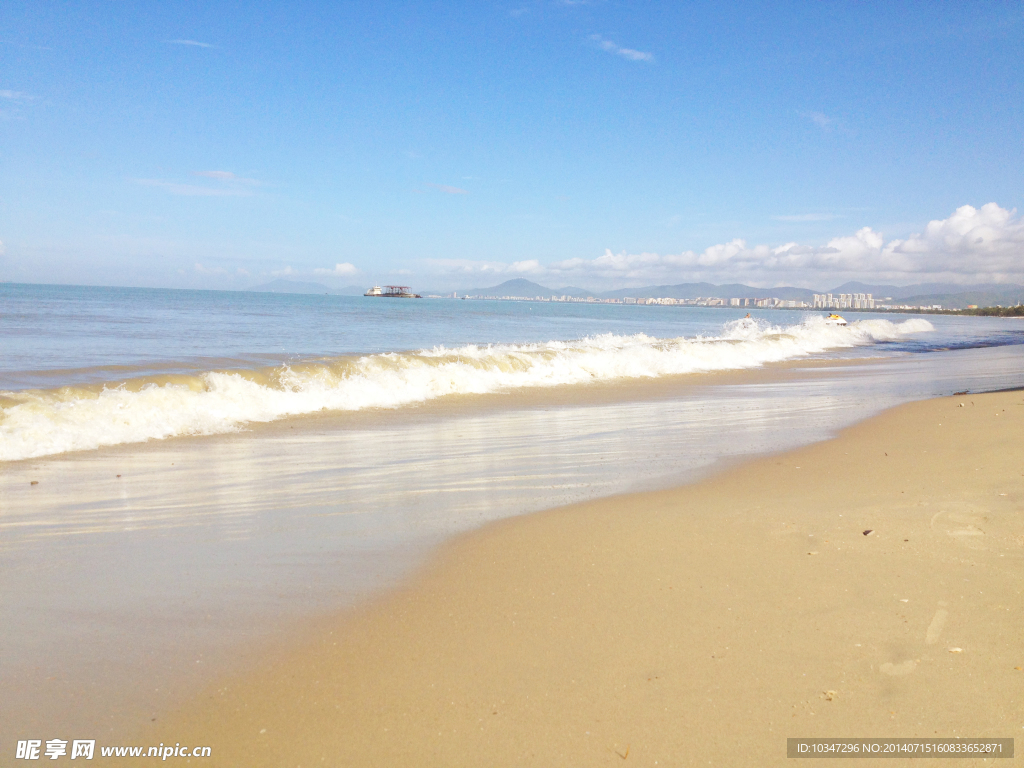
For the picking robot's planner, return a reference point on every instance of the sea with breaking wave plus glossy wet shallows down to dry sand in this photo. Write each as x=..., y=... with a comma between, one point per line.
x=186, y=477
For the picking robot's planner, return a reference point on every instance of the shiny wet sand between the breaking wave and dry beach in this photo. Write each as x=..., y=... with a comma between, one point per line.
x=135, y=576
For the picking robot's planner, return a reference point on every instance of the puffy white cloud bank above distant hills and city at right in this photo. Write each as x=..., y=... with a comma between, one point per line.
x=974, y=245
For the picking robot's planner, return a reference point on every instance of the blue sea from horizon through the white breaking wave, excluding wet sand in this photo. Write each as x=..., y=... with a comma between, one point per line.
x=87, y=368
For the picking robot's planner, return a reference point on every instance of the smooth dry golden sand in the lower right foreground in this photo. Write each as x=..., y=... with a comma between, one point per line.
x=701, y=626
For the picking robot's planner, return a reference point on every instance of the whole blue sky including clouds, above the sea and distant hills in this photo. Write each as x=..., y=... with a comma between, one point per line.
x=586, y=143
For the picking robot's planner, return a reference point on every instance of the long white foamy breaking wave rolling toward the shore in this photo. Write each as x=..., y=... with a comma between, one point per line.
x=42, y=423
